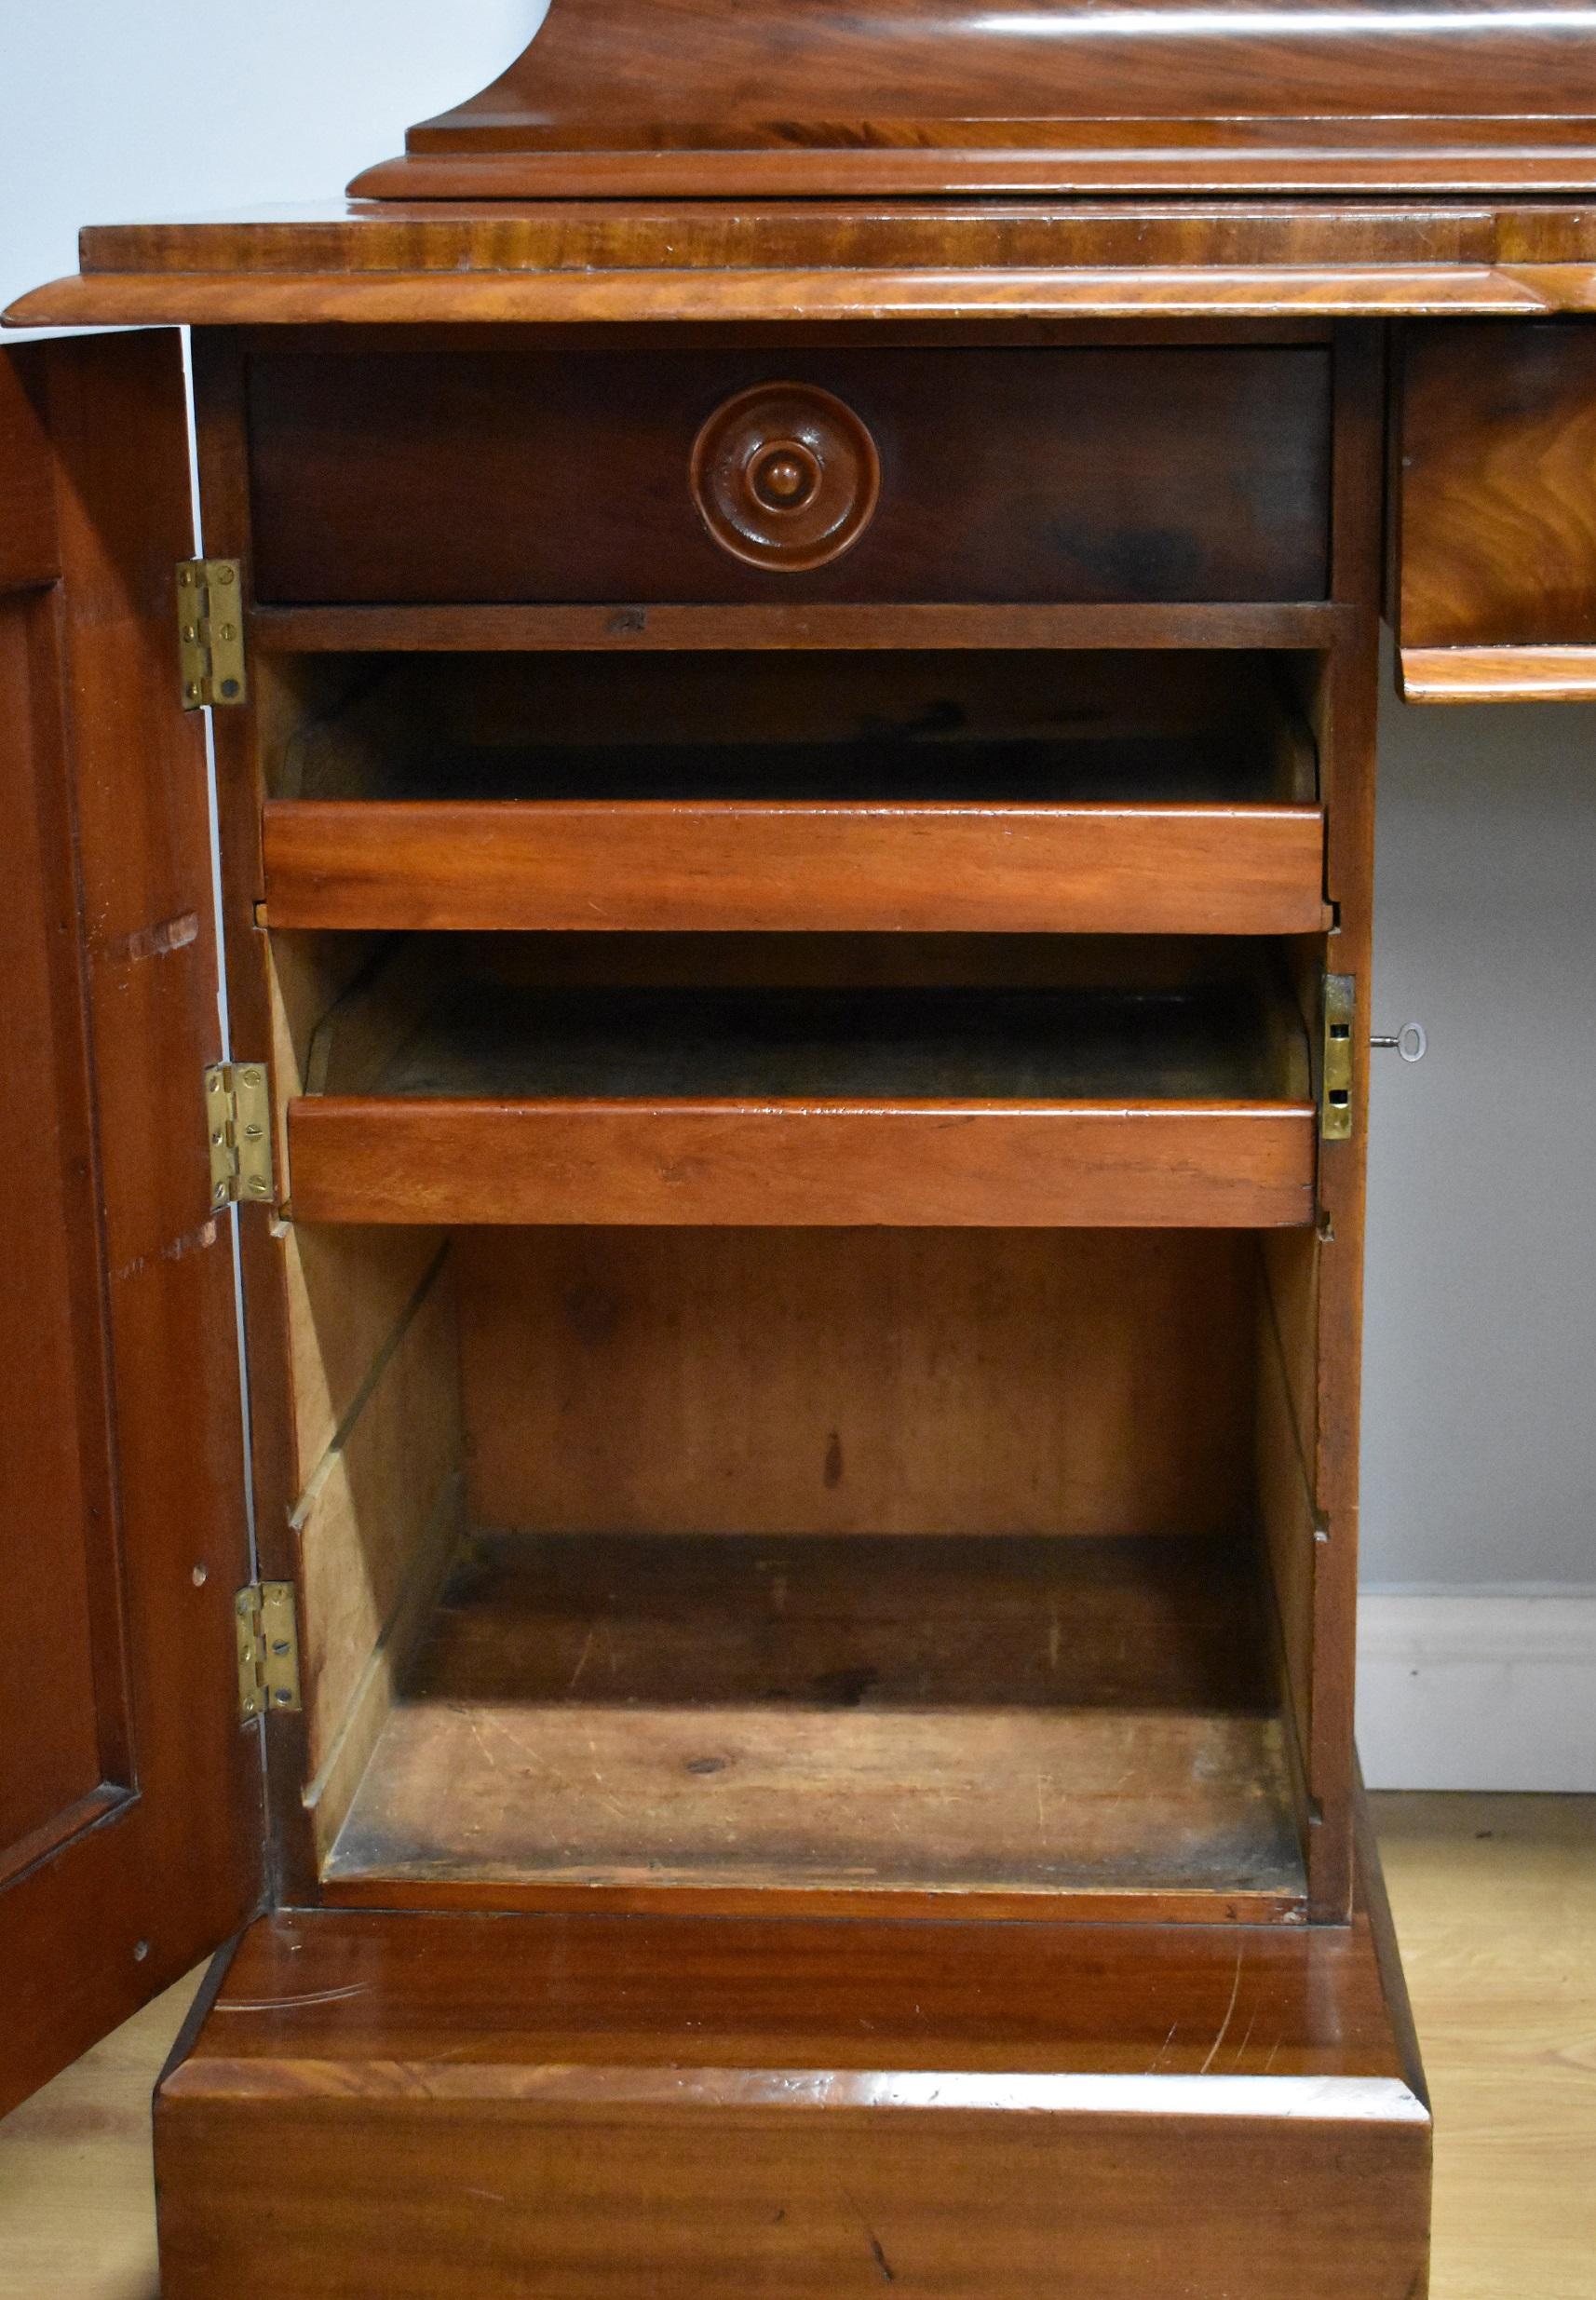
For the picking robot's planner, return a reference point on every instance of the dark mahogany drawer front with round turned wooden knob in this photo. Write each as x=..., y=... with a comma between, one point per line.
x=1163, y=475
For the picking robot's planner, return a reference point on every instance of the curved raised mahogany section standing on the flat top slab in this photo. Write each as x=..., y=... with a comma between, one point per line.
x=691, y=98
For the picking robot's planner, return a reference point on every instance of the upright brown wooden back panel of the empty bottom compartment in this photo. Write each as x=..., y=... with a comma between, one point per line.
x=859, y=1381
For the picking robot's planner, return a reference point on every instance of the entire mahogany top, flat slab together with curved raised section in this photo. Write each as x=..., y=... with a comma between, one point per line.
x=939, y=160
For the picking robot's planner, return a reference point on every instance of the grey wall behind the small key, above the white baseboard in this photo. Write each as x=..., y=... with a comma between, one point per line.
x=1480, y=1367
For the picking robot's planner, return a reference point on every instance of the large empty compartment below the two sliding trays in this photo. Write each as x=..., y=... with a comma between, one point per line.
x=857, y=1561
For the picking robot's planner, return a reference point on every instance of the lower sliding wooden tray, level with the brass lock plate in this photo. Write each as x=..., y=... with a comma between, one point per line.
x=1004, y=1107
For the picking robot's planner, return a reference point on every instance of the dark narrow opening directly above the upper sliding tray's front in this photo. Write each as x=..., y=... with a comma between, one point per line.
x=884, y=726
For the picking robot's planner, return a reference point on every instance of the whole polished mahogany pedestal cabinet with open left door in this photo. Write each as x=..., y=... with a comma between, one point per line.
x=762, y=1662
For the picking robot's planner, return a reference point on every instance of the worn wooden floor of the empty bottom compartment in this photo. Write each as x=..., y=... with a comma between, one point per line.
x=974, y=1719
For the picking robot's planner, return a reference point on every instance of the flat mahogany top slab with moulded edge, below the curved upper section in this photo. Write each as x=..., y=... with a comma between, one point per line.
x=838, y=261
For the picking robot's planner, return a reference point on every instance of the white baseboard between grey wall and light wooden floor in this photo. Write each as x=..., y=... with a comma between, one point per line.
x=1478, y=1689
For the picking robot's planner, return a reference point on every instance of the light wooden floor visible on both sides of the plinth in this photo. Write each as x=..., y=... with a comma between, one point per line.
x=1496, y=1908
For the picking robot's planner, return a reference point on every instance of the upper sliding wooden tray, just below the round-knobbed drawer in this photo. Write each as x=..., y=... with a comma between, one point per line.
x=1011, y=795
